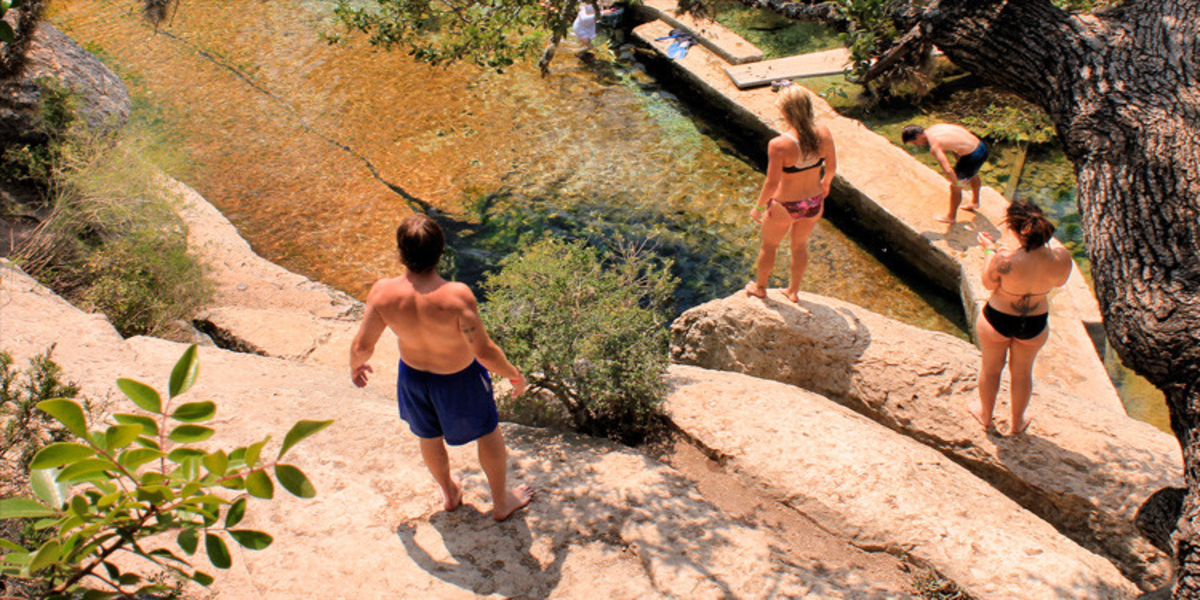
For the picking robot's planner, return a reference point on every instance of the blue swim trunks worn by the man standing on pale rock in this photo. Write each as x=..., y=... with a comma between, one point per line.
x=458, y=407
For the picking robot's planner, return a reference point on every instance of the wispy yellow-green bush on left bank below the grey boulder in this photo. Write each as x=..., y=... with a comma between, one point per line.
x=113, y=243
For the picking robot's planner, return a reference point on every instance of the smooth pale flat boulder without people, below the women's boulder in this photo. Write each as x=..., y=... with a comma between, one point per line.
x=884, y=491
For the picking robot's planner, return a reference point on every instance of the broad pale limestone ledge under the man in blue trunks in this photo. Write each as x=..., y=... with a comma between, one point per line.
x=608, y=521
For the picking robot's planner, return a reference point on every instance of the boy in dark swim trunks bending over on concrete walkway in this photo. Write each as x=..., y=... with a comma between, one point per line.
x=958, y=141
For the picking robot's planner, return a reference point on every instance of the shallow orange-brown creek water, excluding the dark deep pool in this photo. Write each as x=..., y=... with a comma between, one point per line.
x=297, y=141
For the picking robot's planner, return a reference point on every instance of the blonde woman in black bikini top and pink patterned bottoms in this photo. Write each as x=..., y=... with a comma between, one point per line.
x=800, y=171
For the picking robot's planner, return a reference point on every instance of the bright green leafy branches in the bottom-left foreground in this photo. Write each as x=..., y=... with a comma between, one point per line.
x=117, y=484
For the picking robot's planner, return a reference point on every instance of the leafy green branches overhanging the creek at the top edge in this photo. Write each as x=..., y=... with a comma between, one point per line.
x=488, y=33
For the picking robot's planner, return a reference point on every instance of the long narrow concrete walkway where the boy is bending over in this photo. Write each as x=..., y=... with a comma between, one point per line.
x=893, y=195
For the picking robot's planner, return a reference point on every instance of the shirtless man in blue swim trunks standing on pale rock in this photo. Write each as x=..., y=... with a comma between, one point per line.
x=445, y=389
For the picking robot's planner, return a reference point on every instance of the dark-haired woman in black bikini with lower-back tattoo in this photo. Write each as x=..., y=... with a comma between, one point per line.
x=1013, y=325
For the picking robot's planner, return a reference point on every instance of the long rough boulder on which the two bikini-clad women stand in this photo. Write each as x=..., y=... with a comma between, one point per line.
x=1084, y=469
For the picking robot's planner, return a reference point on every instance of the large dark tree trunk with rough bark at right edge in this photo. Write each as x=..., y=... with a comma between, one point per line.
x=1121, y=87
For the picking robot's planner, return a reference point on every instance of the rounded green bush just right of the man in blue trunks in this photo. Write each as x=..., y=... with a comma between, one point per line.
x=591, y=333
